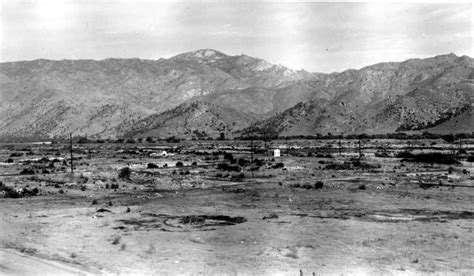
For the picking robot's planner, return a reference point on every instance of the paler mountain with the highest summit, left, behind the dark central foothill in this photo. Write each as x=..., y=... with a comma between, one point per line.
x=87, y=97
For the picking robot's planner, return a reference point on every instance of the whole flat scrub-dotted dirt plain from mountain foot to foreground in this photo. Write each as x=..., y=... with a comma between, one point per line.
x=213, y=207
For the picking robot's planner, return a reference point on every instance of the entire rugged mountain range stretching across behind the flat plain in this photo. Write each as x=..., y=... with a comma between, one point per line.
x=205, y=93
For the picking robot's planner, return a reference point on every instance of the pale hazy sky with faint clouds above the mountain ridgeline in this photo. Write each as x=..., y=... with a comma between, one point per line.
x=319, y=37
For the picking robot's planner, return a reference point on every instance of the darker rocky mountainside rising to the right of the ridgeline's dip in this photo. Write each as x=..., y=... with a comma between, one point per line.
x=387, y=97
